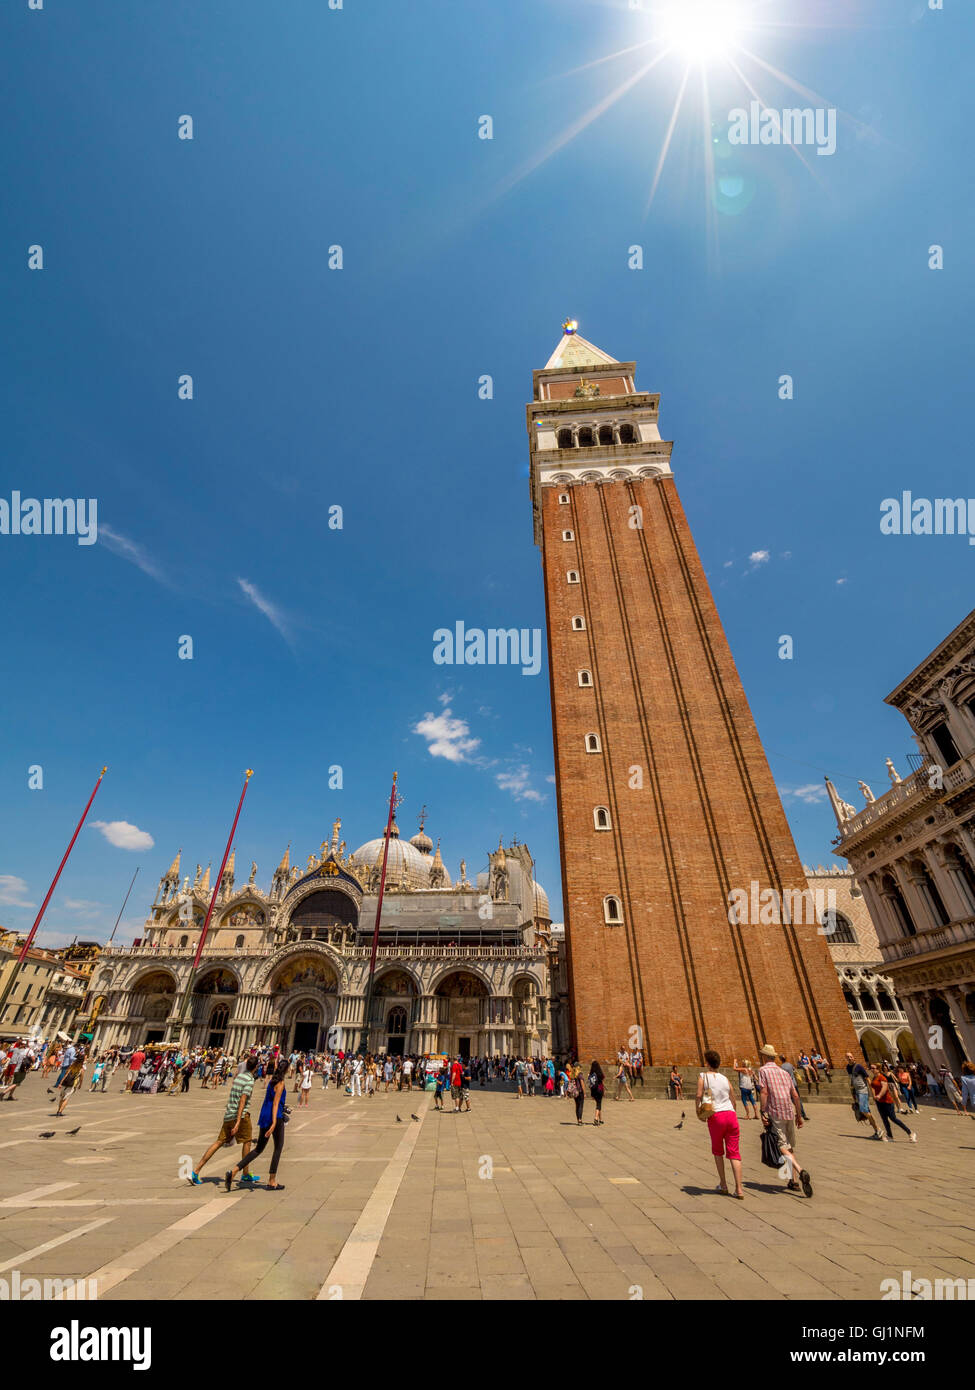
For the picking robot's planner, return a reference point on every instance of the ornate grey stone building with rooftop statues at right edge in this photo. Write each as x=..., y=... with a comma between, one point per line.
x=913, y=851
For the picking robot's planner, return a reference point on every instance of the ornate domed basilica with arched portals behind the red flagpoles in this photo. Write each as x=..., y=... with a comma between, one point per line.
x=462, y=968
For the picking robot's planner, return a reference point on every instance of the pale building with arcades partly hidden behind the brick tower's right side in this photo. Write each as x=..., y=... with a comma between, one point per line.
x=883, y=1027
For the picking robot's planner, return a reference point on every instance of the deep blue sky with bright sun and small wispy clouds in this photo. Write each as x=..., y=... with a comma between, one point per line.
x=358, y=387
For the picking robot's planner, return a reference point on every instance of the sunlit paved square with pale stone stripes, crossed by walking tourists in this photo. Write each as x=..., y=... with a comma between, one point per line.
x=510, y=1202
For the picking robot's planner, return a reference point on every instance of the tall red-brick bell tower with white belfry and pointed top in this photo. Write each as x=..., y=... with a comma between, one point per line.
x=667, y=804
